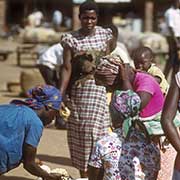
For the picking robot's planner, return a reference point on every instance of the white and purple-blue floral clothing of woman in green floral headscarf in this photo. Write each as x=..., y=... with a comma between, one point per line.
x=122, y=160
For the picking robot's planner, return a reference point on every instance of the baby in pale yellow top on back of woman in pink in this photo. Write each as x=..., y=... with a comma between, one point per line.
x=143, y=60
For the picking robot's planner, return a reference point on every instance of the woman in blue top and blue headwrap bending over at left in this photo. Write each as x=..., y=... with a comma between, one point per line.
x=21, y=128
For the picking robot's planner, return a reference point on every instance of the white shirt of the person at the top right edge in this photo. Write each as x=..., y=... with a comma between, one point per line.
x=172, y=17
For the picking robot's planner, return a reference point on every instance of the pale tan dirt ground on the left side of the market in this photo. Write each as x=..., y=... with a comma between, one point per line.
x=53, y=147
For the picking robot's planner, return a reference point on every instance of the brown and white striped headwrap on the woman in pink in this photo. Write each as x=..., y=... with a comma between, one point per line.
x=108, y=68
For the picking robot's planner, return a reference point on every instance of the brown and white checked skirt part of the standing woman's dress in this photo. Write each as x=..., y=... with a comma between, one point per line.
x=88, y=122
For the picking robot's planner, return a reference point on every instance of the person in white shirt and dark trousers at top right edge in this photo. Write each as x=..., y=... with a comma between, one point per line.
x=172, y=17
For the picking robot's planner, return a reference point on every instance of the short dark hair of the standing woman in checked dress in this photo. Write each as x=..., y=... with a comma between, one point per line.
x=88, y=5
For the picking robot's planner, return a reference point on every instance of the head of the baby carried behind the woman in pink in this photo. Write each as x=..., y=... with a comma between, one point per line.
x=143, y=58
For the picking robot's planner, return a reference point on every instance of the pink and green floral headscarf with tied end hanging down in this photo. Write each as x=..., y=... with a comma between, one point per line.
x=126, y=104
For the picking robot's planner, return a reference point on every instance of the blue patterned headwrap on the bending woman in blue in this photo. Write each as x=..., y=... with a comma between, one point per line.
x=40, y=96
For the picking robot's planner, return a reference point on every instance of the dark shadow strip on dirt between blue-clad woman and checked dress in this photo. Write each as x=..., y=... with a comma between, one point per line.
x=55, y=159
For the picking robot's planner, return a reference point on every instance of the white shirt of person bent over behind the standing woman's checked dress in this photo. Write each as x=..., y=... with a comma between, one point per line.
x=52, y=57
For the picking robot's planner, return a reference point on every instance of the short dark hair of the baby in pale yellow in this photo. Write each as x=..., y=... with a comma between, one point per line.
x=143, y=50
